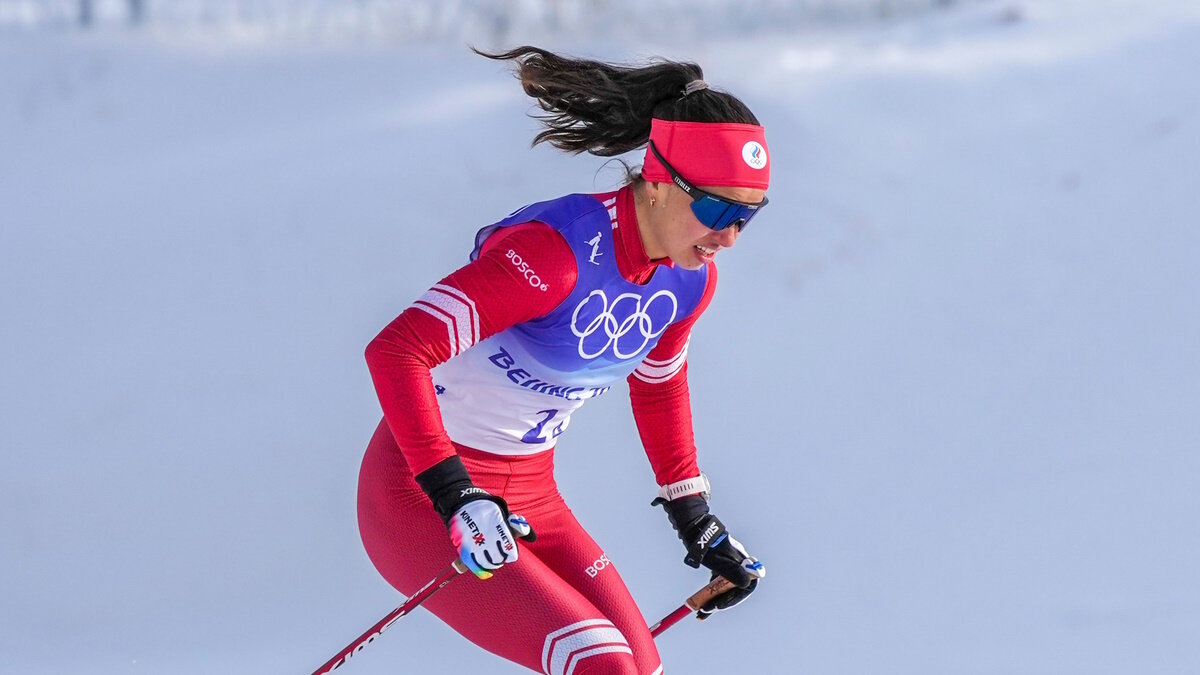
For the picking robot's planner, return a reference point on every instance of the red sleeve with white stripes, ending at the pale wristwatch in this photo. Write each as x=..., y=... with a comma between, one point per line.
x=658, y=391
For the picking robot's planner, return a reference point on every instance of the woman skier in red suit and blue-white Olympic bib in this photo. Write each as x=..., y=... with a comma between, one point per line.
x=479, y=378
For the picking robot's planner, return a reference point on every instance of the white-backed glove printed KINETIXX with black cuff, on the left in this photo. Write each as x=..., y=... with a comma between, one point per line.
x=481, y=524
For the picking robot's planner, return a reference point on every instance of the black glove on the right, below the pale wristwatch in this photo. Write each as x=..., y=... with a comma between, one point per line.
x=710, y=545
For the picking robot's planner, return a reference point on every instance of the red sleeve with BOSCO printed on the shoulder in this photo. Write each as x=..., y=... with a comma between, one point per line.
x=471, y=304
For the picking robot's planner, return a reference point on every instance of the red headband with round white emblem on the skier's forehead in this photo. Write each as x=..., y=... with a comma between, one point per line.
x=722, y=154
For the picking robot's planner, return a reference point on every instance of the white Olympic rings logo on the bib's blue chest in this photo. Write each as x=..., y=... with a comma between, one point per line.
x=638, y=322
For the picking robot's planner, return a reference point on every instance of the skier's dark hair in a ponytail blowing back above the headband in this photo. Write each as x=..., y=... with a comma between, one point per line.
x=607, y=109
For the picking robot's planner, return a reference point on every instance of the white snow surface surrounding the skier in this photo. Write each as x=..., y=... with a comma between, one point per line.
x=950, y=389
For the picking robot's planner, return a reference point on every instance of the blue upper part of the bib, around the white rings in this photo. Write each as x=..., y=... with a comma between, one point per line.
x=603, y=331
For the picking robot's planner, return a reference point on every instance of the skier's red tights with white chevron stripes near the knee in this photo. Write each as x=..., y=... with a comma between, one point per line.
x=561, y=610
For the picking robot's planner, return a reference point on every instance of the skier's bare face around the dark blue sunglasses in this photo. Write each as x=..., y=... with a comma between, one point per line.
x=685, y=240
